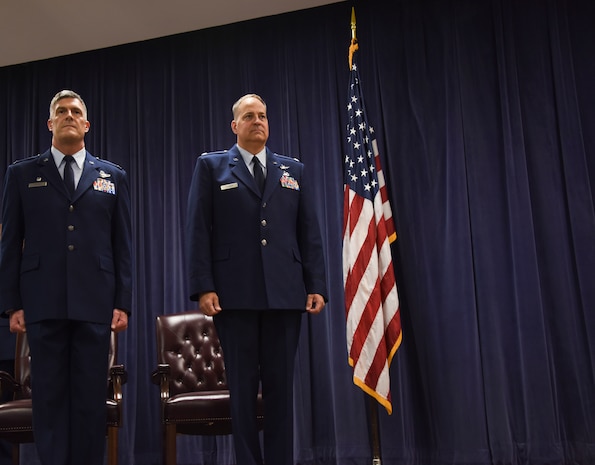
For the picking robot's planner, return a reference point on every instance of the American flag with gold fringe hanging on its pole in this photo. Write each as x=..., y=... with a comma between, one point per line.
x=371, y=298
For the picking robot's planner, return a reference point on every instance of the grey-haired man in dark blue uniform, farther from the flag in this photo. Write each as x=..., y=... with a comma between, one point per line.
x=66, y=279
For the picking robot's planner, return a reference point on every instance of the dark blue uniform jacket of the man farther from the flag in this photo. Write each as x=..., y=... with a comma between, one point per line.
x=61, y=257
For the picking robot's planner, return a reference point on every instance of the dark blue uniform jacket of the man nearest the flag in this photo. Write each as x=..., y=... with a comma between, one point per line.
x=256, y=251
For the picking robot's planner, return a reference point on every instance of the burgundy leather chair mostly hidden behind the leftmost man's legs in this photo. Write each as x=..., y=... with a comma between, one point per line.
x=16, y=415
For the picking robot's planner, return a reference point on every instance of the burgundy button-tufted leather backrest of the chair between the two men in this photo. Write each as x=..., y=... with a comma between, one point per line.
x=188, y=343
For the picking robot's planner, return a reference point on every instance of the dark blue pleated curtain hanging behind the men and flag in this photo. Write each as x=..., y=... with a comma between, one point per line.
x=485, y=116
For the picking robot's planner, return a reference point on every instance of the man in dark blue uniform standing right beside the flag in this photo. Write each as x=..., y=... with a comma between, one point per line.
x=256, y=264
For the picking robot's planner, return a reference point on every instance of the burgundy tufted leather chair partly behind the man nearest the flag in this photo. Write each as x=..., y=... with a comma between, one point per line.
x=191, y=376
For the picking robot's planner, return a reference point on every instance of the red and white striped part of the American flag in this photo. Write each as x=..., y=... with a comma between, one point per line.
x=371, y=298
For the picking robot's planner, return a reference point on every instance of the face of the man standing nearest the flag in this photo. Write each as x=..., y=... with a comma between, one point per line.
x=251, y=124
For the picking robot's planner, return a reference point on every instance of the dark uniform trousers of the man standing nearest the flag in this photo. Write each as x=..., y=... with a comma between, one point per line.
x=259, y=349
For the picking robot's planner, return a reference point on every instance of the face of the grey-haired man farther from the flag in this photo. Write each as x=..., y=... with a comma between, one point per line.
x=68, y=121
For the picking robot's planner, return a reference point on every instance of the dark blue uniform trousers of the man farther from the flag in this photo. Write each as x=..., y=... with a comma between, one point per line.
x=69, y=363
